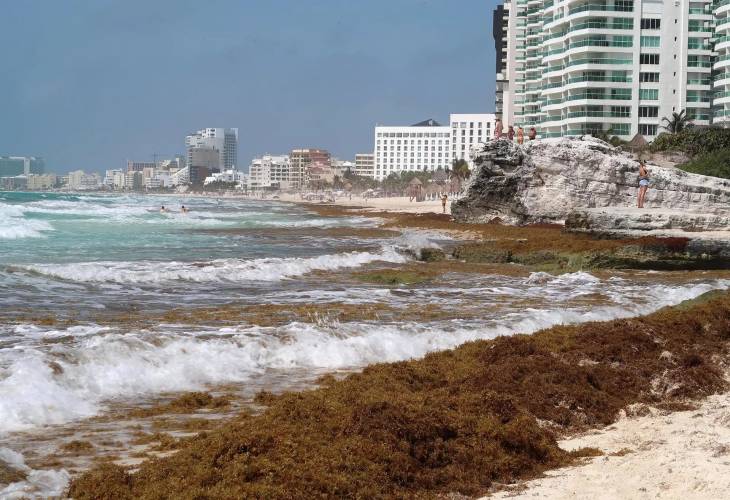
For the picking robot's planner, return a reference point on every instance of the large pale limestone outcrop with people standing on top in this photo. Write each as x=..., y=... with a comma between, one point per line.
x=547, y=180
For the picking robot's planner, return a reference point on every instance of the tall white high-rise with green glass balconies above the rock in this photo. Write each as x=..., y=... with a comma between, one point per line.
x=573, y=67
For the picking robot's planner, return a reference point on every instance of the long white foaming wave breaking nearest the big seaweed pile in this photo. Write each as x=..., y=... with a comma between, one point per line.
x=73, y=380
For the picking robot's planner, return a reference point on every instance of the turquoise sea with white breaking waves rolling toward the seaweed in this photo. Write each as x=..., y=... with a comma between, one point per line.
x=67, y=260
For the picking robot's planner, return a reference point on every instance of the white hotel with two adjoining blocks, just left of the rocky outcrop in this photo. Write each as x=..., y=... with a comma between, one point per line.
x=428, y=145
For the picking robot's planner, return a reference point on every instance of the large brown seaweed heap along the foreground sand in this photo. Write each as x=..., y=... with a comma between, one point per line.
x=453, y=422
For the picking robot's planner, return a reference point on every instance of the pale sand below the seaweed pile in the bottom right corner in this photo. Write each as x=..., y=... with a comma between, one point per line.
x=682, y=455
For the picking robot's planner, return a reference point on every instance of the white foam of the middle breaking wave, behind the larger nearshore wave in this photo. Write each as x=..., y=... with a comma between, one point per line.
x=221, y=270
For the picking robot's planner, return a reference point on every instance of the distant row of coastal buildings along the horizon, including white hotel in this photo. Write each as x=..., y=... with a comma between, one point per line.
x=425, y=146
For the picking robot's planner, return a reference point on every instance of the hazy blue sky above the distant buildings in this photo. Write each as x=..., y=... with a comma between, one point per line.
x=91, y=83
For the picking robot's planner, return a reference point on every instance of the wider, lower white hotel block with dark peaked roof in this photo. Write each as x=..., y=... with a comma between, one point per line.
x=423, y=146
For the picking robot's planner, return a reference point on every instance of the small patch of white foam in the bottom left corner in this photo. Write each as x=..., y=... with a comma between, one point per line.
x=37, y=483
